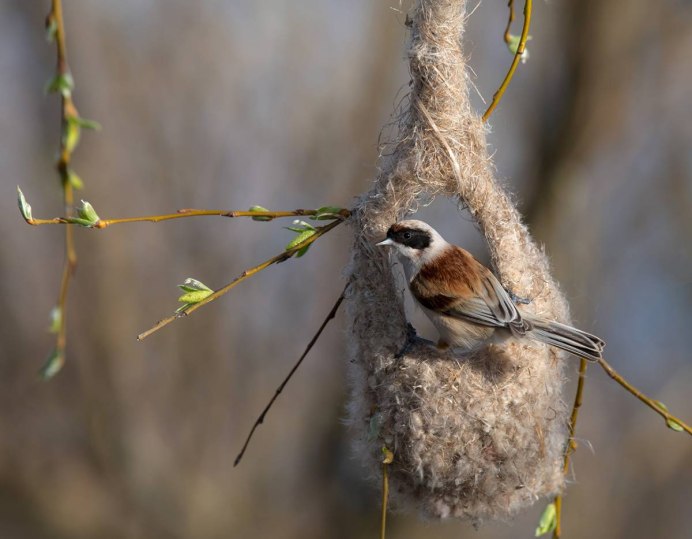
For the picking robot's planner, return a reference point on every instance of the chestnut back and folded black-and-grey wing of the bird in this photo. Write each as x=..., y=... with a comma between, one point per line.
x=467, y=289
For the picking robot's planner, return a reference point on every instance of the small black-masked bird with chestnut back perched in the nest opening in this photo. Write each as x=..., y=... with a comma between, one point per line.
x=466, y=302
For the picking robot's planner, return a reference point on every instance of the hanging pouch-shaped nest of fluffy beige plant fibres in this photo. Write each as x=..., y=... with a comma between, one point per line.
x=478, y=436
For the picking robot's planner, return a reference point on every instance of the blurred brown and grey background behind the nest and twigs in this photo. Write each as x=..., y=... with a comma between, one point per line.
x=226, y=104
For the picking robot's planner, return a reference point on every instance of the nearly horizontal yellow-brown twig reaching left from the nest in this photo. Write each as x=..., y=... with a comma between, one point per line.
x=184, y=213
